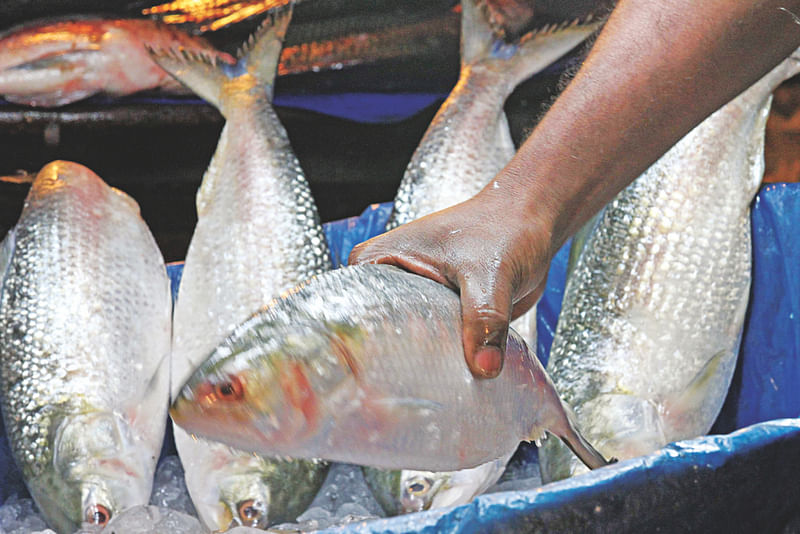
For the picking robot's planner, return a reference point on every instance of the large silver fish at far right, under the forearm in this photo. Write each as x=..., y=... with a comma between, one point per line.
x=653, y=310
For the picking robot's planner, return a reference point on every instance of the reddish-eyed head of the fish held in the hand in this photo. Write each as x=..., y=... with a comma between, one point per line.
x=261, y=390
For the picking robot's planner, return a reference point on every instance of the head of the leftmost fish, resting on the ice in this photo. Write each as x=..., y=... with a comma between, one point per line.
x=98, y=471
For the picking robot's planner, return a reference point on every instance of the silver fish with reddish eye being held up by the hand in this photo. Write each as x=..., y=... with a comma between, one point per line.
x=365, y=365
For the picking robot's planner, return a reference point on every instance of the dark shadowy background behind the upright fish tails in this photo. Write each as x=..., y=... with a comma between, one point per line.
x=157, y=150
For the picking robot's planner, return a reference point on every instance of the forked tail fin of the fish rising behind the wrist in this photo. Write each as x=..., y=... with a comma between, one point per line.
x=525, y=56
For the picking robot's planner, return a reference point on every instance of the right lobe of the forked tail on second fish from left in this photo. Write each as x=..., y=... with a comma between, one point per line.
x=262, y=51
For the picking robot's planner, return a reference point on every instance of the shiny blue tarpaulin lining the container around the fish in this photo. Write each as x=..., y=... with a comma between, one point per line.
x=744, y=478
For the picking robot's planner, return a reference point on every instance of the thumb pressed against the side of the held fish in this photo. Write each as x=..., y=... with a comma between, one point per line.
x=486, y=311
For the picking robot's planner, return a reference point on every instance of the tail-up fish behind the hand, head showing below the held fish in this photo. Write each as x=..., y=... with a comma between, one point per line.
x=467, y=143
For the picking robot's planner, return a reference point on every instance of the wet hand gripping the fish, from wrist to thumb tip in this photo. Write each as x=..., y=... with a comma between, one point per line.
x=497, y=259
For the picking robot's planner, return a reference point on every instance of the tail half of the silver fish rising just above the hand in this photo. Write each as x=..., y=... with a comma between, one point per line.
x=468, y=141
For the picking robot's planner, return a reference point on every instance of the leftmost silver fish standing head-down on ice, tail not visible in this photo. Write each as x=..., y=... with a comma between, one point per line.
x=85, y=317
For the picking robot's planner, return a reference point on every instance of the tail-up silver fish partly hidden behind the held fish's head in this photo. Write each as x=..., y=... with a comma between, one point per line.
x=258, y=234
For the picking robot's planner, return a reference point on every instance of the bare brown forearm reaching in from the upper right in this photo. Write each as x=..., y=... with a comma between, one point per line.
x=656, y=71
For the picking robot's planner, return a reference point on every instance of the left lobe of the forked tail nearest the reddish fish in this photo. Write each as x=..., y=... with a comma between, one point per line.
x=202, y=73
